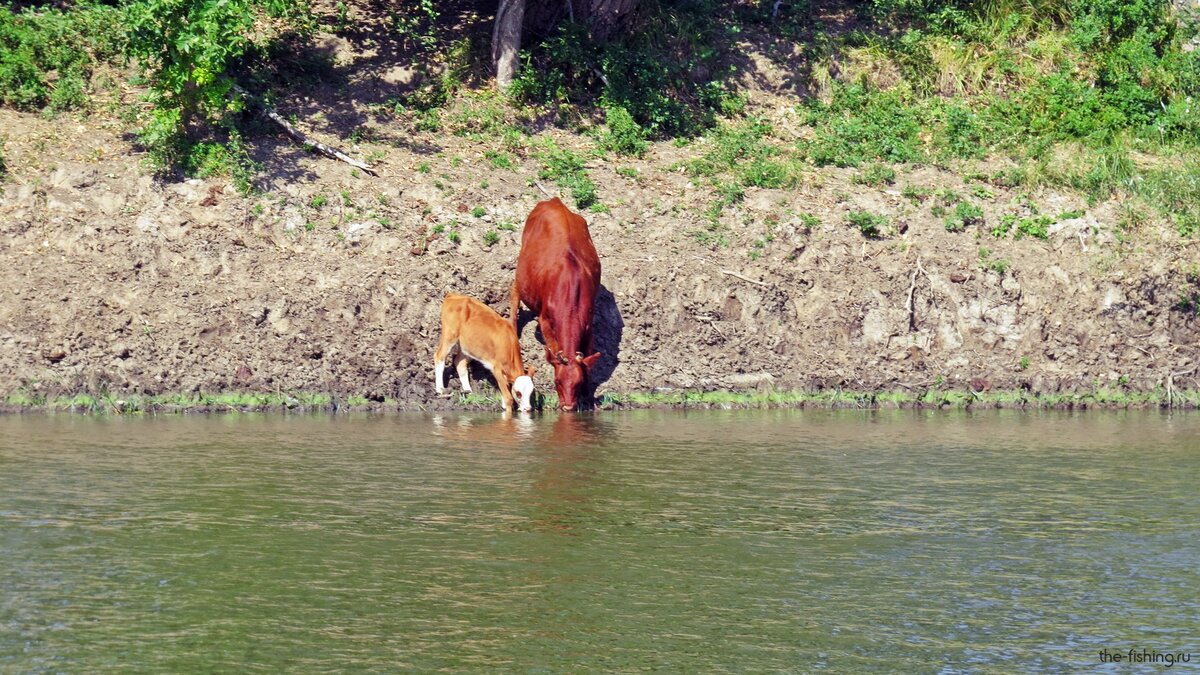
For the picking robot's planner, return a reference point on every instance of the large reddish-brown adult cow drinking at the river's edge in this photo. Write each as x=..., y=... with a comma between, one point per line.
x=559, y=276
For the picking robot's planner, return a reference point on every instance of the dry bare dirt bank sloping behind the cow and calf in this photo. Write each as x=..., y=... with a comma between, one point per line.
x=118, y=284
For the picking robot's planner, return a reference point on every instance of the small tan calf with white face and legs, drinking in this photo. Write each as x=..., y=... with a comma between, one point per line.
x=472, y=330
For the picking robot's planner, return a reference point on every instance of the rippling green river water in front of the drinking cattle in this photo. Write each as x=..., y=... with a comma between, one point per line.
x=779, y=541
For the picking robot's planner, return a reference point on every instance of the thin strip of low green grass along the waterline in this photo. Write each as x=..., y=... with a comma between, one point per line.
x=487, y=402
